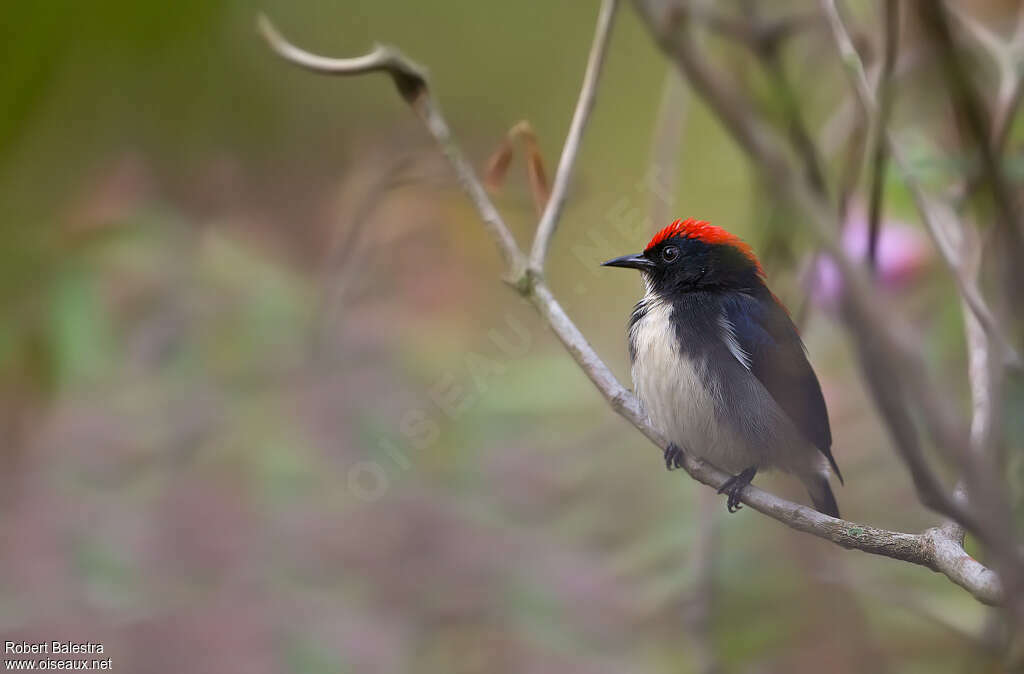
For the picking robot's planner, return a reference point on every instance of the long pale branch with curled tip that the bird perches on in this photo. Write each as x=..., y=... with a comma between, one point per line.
x=931, y=550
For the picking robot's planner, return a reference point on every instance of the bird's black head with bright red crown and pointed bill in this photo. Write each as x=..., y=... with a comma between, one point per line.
x=692, y=256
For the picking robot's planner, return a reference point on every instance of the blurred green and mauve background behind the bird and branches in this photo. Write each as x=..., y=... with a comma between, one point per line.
x=268, y=407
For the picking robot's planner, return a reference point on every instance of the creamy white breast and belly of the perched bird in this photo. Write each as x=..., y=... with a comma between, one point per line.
x=680, y=401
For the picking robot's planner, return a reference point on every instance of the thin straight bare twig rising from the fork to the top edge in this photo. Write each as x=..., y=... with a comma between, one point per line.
x=588, y=94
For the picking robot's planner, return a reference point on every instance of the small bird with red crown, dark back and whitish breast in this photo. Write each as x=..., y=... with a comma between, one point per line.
x=719, y=366
